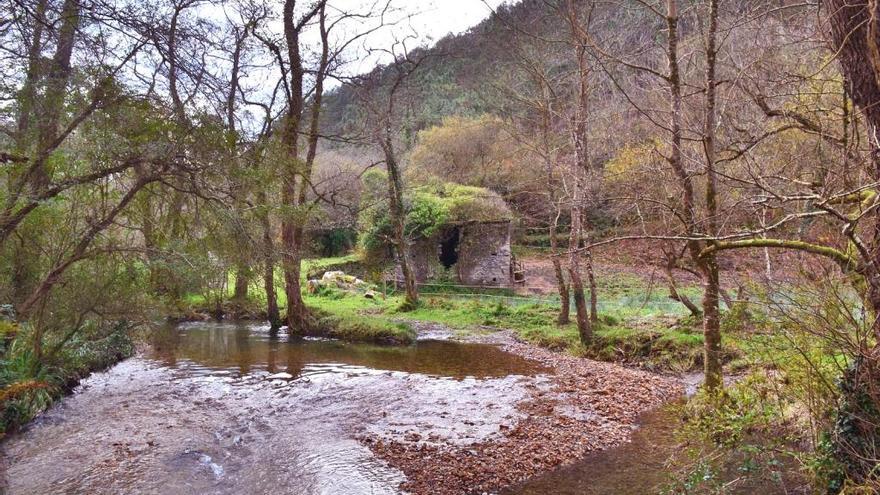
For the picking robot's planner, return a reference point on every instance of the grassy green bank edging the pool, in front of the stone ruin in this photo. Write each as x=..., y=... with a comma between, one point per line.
x=644, y=339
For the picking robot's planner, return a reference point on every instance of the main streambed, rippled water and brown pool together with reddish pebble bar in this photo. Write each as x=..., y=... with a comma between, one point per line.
x=231, y=408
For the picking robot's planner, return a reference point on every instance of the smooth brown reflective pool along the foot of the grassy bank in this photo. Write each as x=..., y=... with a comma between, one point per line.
x=223, y=348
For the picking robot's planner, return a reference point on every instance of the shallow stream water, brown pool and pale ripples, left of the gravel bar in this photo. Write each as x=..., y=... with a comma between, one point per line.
x=220, y=408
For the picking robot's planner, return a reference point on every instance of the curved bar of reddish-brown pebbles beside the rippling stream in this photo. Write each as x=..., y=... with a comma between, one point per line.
x=588, y=406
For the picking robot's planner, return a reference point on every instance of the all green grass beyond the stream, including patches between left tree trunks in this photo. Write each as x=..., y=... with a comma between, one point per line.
x=637, y=326
